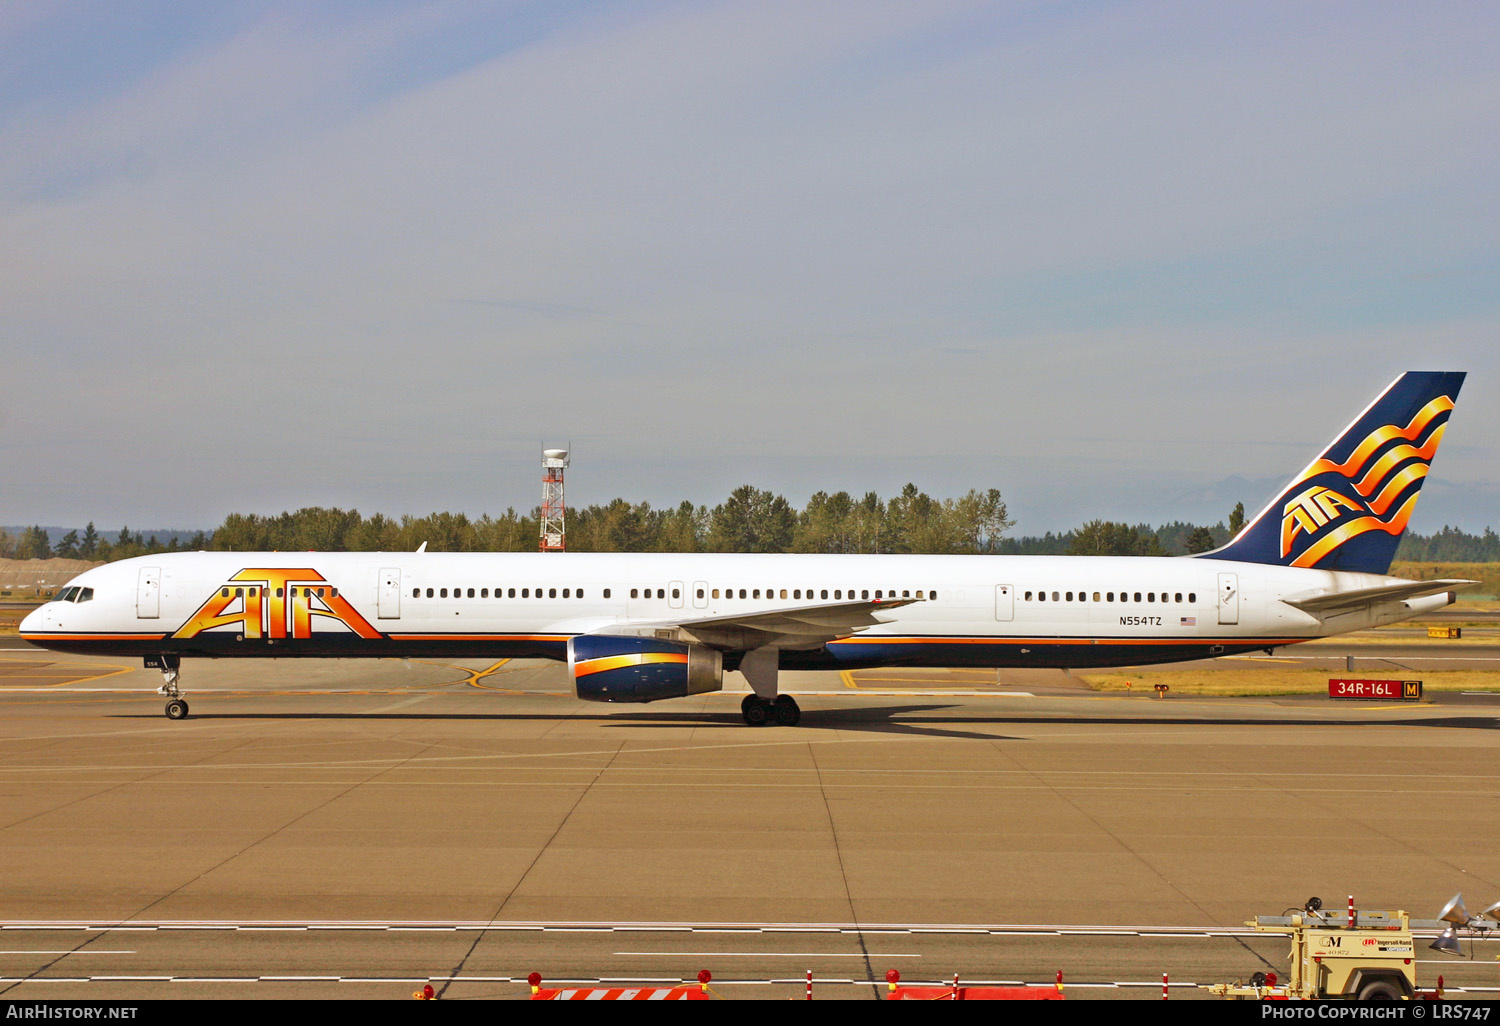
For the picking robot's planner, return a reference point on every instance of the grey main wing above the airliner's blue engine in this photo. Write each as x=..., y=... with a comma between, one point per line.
x=790, y=628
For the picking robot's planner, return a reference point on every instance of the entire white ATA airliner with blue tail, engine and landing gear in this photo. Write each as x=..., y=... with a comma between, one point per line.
x=646, y=628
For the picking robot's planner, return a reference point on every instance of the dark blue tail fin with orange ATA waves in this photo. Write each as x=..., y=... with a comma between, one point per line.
x=1348, y=509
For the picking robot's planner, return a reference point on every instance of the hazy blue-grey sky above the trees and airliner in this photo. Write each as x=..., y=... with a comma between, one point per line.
x=1099, y=256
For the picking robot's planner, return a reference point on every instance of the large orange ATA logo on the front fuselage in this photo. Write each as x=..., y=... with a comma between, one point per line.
x=275, y=602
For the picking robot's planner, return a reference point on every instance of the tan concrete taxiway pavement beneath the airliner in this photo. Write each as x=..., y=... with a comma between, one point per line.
x=353, y=829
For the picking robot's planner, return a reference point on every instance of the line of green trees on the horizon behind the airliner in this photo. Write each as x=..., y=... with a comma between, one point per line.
x=749, y=521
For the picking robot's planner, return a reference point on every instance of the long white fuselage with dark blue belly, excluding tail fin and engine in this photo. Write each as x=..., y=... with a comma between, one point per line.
x=968, y=611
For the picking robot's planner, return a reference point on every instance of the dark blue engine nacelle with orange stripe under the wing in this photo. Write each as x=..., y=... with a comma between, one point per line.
x=641, y=670
